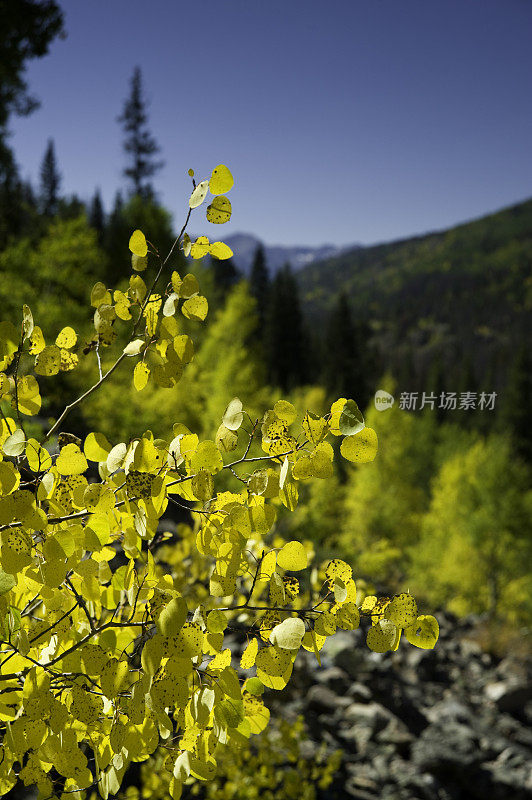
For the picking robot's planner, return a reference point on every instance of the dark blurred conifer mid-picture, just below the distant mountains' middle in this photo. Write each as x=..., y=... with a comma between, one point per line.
x=286, y=343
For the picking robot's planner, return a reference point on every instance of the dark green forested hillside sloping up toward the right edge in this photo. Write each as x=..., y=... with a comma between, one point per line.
x=456, y=303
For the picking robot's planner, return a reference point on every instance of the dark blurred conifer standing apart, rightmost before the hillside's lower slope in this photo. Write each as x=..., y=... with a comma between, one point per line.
x=345, y=361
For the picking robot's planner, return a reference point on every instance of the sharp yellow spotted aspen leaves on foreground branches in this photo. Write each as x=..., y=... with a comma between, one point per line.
x=112, y=635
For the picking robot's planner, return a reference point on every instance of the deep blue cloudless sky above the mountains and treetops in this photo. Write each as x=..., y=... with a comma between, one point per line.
x=342, y=120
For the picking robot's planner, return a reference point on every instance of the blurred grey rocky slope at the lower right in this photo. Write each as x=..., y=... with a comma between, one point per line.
x=449, y=724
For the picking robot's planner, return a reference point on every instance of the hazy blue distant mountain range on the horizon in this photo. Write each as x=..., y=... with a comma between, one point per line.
x=244, y=246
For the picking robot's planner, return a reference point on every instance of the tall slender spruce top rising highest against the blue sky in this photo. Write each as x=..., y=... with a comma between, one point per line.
x=139, y=144
